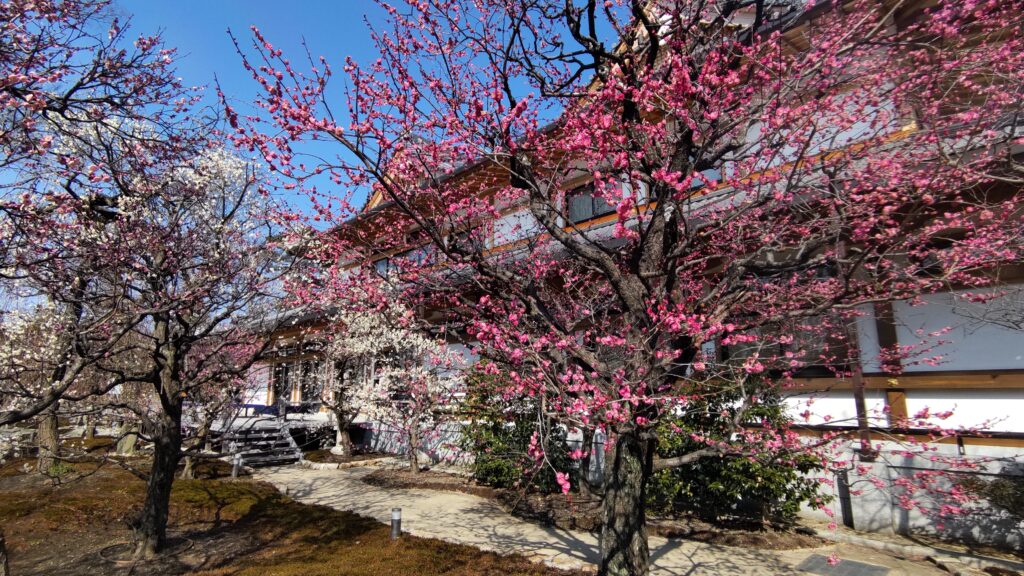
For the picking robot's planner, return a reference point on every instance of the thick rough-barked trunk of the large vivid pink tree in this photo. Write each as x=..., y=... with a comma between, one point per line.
x=624, y=537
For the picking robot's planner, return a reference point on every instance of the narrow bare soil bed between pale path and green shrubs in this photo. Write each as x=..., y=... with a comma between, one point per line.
x=578, y=512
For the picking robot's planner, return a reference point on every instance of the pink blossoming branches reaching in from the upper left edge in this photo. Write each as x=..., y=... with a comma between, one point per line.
x=69, y=70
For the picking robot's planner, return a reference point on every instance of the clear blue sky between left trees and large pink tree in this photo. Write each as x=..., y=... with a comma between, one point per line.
x=199, y=30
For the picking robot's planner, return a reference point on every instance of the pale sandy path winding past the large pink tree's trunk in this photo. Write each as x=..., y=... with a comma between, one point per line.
x=465, y=519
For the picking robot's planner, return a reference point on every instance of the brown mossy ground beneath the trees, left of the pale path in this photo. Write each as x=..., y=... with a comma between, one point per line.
x=219, y=527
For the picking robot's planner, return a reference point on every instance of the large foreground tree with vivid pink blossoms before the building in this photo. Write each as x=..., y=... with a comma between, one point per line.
x=636, y=204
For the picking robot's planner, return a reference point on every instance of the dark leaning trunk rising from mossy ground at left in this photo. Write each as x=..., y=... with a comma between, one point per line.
x=167, y=452
